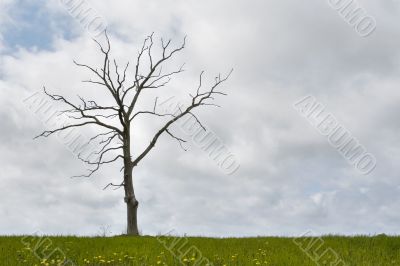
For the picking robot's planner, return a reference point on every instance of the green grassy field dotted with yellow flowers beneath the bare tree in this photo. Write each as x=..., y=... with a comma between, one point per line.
x=330, y=250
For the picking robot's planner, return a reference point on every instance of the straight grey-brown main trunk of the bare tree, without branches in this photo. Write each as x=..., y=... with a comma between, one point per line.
x=130, y=199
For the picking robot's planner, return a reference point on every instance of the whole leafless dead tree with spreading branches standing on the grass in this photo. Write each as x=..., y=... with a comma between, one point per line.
x=116, y=121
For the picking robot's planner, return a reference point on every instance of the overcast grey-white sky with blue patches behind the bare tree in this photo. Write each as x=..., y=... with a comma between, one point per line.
x=291, y=178
